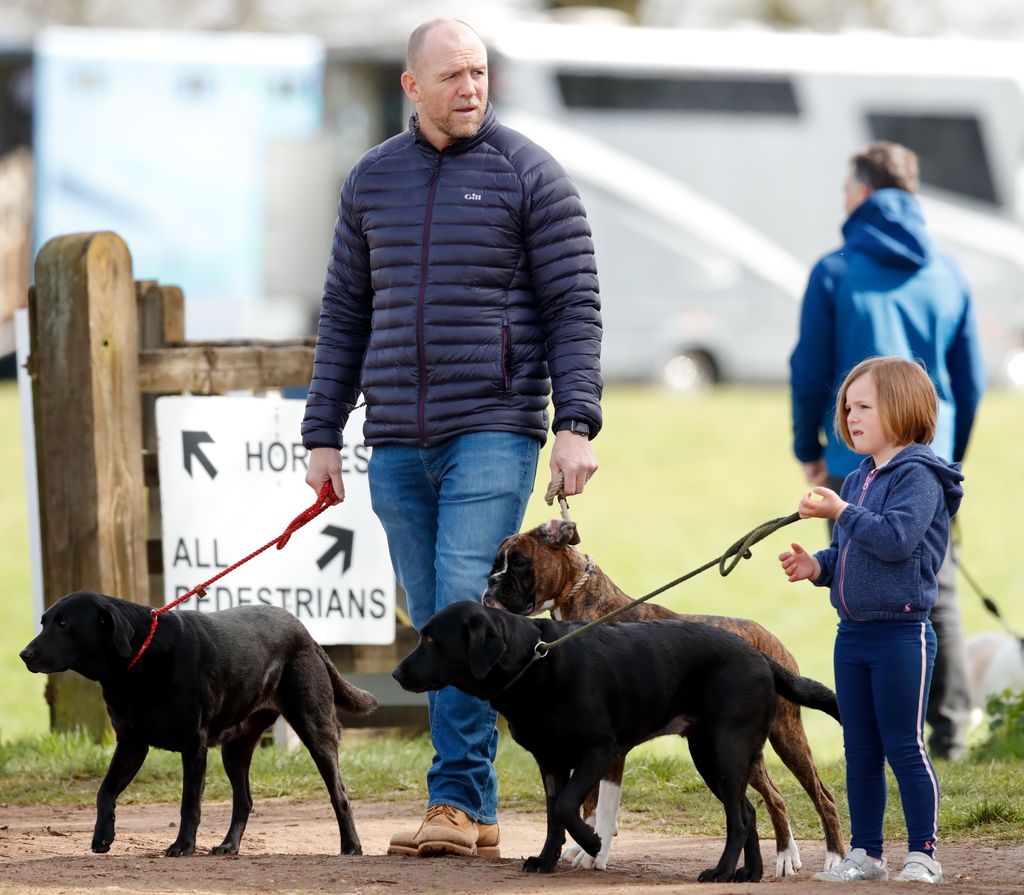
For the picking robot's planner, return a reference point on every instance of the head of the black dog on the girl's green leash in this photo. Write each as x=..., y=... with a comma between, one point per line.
x=468, y=647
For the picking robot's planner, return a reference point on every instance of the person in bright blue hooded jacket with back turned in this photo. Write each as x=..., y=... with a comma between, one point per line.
x=890, y=291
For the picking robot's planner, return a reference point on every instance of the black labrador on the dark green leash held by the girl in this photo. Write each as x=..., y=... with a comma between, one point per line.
x=592, y=699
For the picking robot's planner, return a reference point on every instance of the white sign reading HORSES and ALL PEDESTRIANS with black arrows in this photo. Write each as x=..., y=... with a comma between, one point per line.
x=232, y=479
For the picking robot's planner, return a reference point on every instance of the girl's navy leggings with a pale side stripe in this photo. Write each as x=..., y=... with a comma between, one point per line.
x=883, y=672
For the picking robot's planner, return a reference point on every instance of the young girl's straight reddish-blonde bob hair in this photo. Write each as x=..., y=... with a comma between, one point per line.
x=908, y=404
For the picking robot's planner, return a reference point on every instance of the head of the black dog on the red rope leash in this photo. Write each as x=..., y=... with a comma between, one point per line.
x=86, y=632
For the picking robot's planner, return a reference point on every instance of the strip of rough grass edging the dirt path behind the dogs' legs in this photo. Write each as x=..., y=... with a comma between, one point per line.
x=980, y=801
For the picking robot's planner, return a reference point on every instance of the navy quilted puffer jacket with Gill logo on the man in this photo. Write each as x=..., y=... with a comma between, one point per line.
x=462, y=290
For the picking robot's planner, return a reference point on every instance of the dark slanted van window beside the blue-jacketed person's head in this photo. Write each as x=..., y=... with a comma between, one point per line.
x=950, y=148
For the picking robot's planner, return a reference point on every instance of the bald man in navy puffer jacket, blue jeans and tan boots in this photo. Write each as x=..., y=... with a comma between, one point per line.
x=461, y=293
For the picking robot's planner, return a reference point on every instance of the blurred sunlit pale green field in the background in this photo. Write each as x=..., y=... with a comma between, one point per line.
x=681, y=479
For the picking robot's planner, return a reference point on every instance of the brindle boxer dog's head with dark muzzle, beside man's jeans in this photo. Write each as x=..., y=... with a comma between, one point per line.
x=524, y=562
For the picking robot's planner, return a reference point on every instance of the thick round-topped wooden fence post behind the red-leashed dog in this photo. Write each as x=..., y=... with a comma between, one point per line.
x=84, y=363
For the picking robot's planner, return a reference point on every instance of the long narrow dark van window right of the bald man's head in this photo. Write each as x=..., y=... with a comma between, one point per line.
x=665, y=93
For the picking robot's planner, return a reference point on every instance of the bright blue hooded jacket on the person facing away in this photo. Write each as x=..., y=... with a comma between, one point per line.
x=887, y=292
